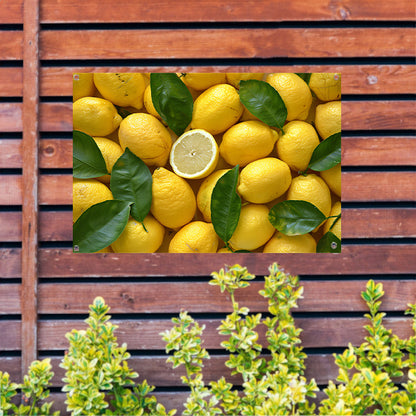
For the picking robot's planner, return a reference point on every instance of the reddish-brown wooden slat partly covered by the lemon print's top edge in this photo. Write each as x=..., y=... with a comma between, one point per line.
x=356, y=79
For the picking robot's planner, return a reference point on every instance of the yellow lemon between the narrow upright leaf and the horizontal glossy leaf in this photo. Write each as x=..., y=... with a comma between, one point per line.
x=253, y=229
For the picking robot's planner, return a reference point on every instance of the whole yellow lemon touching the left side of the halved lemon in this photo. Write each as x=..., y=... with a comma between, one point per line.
x=146, y=137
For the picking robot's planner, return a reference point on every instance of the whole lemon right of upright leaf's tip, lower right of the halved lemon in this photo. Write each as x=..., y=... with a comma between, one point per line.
x=264, y=180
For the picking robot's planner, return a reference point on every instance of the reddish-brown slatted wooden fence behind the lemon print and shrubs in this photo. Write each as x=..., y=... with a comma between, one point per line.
x=45, y=289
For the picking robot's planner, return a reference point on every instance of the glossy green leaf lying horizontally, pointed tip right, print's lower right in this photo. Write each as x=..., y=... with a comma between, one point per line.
x=295, y=217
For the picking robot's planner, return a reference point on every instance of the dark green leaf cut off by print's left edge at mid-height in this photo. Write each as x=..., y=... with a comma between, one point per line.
x=88, y=162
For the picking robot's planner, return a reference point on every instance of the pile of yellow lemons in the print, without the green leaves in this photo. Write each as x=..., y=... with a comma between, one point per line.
x=222, y=134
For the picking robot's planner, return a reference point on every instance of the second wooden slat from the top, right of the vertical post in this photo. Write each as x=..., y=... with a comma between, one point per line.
x=229, y=43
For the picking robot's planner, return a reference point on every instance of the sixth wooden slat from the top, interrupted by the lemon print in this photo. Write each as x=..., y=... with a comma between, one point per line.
x=356, y=186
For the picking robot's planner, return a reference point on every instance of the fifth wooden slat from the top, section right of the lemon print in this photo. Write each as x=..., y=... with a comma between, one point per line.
x=378, y=151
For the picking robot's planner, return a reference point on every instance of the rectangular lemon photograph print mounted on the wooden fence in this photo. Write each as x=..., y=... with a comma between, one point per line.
x=207, y=162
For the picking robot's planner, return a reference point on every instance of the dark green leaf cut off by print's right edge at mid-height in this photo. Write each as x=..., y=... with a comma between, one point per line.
x=327, y=154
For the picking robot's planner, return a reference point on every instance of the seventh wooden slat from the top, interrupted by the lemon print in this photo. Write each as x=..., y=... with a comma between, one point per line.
x=356, y=223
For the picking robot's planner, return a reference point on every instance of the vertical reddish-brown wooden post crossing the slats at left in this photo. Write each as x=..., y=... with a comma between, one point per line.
x=30, y=181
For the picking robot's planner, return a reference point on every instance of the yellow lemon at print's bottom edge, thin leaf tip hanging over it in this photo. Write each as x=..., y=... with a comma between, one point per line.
x=138, y=239
